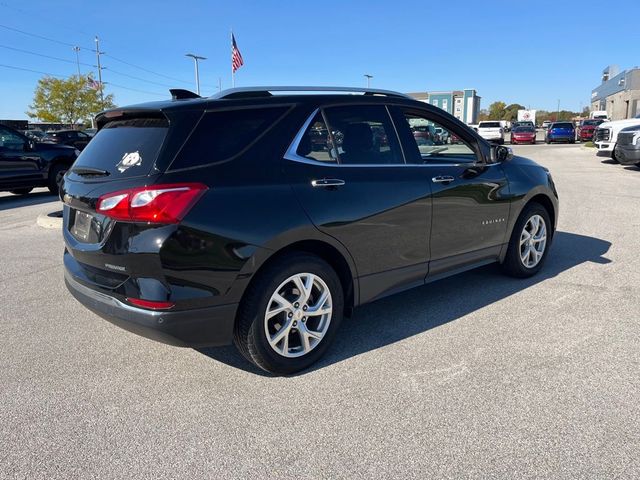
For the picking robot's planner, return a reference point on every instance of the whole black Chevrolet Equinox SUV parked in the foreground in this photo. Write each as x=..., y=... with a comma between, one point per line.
x=261, y=216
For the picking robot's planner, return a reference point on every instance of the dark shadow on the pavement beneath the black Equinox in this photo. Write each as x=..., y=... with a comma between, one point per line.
x=415, y=311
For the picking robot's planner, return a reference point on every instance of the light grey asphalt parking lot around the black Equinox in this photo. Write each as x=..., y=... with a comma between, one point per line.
x=476, y=376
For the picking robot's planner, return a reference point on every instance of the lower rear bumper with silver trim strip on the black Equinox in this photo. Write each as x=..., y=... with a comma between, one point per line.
x=202, y=327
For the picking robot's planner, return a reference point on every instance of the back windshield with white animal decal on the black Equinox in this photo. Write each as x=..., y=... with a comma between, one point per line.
x=125, y=148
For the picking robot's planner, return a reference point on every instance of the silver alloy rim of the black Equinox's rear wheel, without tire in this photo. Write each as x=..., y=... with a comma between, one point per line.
x=298, y=315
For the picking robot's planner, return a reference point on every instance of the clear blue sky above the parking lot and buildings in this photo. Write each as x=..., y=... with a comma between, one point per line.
x=530, y=52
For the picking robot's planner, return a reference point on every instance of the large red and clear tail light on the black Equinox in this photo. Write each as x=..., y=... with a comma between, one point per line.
x=166, y=203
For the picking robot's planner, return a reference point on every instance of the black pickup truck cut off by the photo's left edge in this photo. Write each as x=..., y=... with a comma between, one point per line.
x=26, y=164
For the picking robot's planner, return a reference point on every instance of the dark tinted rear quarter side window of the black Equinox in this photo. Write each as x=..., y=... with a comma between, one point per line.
x=224, y=134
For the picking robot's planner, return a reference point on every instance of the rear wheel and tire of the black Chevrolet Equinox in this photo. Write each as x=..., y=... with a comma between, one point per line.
x=256, y=333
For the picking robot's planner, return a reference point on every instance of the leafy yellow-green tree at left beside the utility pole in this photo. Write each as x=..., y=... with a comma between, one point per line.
x=67, y=101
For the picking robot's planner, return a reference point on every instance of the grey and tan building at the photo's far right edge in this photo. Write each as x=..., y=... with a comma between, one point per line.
x=618, y=94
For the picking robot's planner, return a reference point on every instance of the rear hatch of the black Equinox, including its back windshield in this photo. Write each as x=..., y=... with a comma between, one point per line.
x=131, y=150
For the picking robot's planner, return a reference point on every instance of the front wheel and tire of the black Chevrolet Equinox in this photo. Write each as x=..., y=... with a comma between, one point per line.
x=519, y=260
